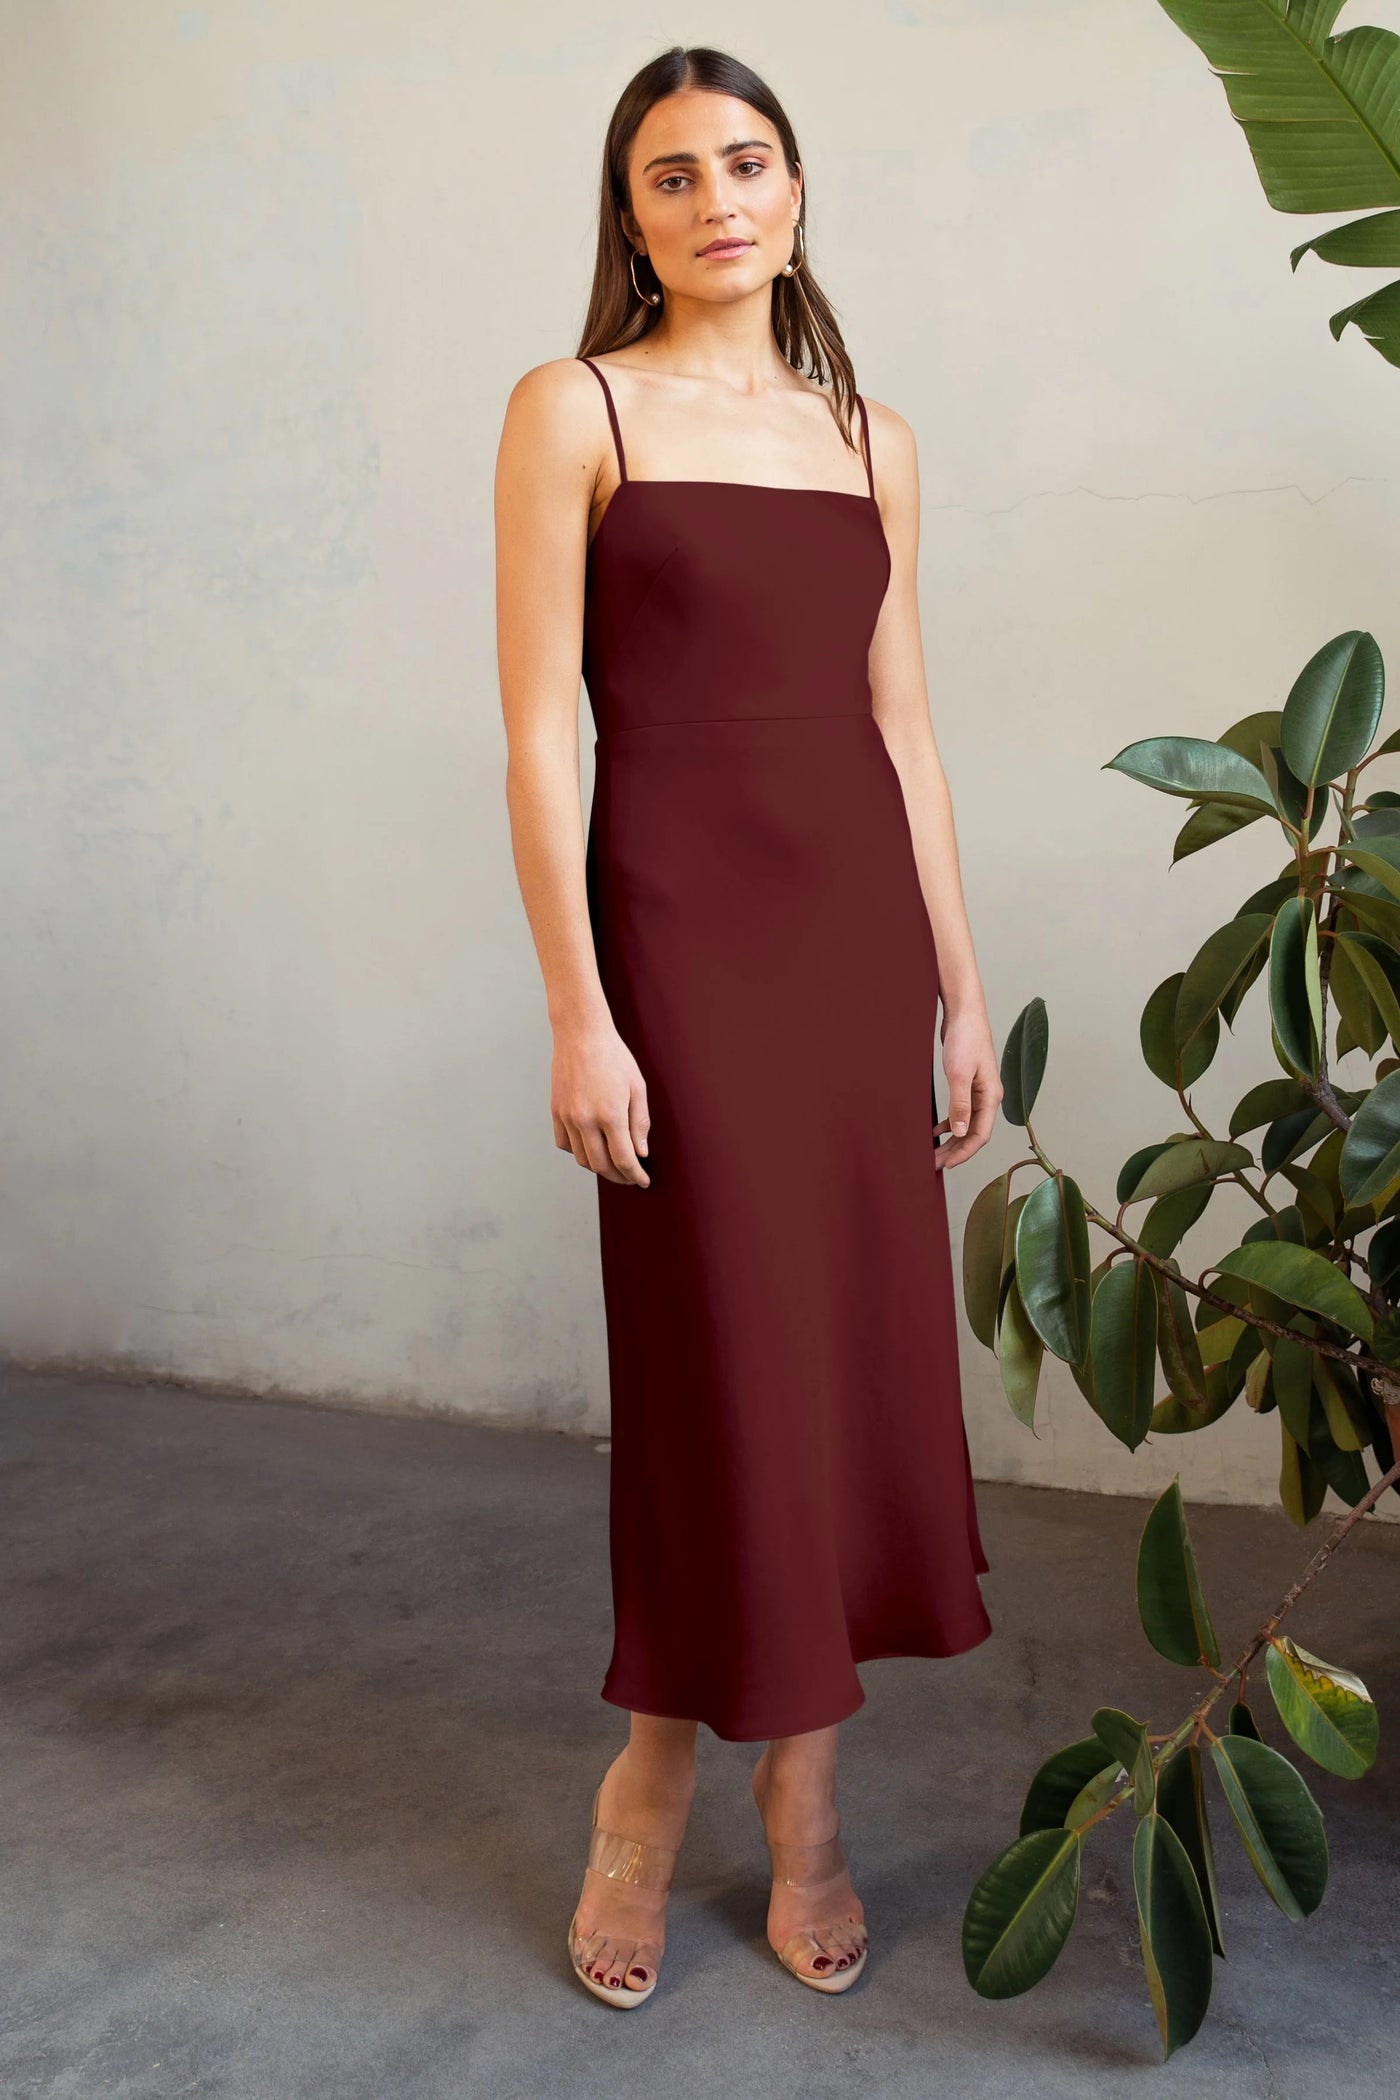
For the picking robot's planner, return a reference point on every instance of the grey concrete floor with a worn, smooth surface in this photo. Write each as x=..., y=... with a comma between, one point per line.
x=301, y=1725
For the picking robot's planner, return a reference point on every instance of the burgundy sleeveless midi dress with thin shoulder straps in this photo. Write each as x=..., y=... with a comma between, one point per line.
x=790, y=1484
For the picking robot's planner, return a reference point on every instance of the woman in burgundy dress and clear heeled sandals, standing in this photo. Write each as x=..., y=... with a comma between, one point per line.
x=744, y=963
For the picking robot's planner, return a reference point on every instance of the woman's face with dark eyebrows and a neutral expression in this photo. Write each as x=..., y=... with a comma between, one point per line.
x=706, y=169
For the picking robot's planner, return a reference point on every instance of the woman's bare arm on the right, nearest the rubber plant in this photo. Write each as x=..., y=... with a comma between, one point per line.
x=901, y=709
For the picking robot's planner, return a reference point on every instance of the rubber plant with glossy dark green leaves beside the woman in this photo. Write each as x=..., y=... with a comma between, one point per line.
x=1298, y=1320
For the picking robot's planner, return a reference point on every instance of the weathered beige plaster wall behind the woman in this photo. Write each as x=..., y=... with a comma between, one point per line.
x=276, y=1057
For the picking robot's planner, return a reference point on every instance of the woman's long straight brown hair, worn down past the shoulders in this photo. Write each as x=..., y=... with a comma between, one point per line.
x=803, y=318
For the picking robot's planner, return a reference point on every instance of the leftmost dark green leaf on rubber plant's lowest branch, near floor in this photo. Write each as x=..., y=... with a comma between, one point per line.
x=1021, y=1912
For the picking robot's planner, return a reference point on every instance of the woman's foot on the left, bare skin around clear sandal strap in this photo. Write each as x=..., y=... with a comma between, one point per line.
x=620, y=1931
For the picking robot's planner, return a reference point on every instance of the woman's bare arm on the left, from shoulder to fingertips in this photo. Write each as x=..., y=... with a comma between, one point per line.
x=547, y=478
